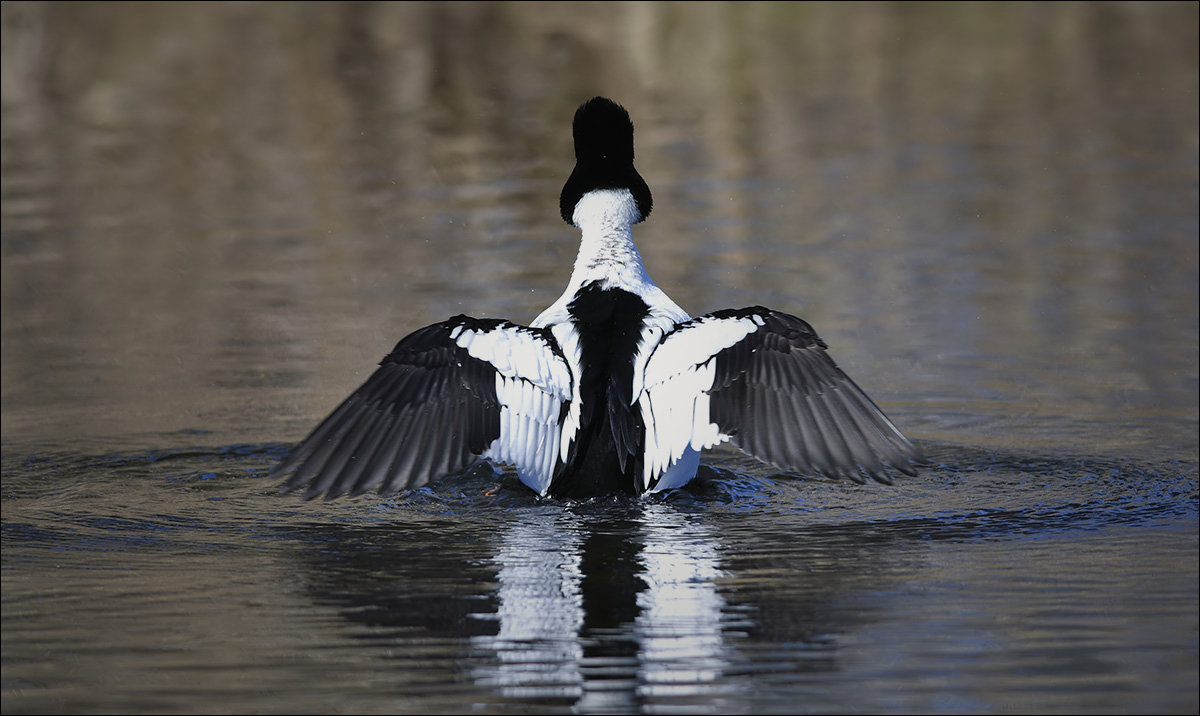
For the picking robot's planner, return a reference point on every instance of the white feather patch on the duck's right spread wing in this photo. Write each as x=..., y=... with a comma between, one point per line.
x=675, y=395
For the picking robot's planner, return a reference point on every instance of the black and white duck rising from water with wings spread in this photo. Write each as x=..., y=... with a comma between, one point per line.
x=613, y=389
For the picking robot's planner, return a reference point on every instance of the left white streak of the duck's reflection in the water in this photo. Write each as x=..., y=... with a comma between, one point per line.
x=541, y=611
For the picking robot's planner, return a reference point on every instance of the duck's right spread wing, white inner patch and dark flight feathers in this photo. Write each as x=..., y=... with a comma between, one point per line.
x=764, y=381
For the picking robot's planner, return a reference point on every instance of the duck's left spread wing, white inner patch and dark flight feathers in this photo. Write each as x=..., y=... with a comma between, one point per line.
x=447, y=395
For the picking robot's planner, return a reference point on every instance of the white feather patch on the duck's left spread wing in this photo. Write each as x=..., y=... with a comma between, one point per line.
x=532, y=384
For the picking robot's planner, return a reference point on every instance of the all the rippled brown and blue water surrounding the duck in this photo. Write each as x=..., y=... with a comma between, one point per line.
x=218, y=218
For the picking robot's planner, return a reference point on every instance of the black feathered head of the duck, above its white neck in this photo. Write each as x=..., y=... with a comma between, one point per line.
x=604, y=157
